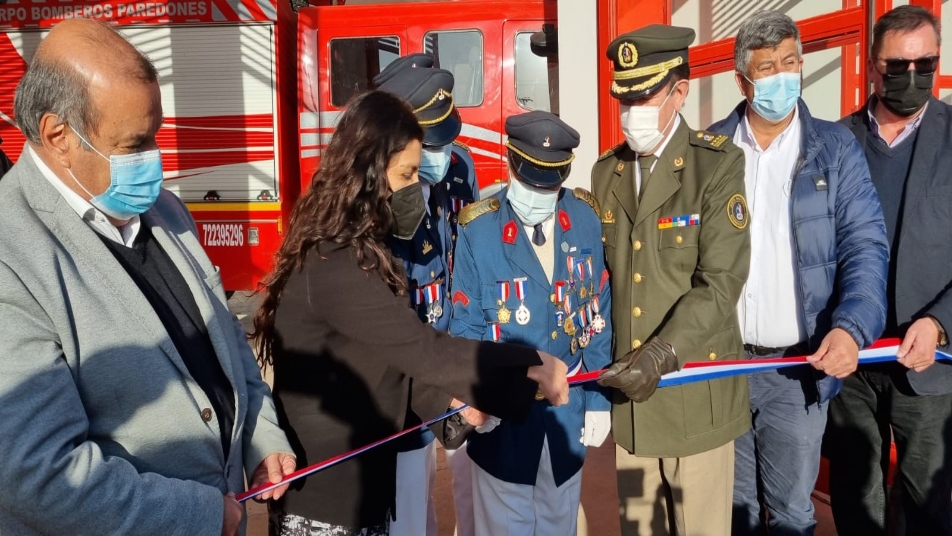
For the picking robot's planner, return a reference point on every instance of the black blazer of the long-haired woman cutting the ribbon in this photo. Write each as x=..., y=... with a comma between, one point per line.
x=347, y=349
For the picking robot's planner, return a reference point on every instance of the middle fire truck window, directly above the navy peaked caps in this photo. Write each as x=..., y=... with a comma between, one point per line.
x=460, y=53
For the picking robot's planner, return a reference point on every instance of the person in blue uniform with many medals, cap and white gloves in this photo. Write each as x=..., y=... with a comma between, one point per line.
x=530, y=269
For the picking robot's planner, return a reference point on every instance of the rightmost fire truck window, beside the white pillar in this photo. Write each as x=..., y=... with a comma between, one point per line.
x=537, y=77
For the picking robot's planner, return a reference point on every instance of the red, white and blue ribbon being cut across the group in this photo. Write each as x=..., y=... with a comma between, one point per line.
x=881, y=351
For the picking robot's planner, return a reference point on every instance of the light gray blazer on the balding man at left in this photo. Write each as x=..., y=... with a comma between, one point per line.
x=101, y=425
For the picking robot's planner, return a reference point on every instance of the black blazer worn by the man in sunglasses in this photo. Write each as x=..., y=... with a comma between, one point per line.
x=923, y=263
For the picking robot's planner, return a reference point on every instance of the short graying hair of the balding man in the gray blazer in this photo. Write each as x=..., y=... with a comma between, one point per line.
x=53, y=87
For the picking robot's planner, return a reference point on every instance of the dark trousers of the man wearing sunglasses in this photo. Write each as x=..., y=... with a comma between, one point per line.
x=874, y=402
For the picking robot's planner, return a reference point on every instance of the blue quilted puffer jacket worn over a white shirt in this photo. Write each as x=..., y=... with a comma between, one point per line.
x=839, y=236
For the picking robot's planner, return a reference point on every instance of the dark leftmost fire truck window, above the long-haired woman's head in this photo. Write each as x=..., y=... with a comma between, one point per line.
x=355, y=61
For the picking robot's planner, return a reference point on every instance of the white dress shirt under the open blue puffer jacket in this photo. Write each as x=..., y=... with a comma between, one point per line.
x=768, y=309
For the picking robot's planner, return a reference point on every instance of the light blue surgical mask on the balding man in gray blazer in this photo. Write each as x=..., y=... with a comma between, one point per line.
x=135, y=183
